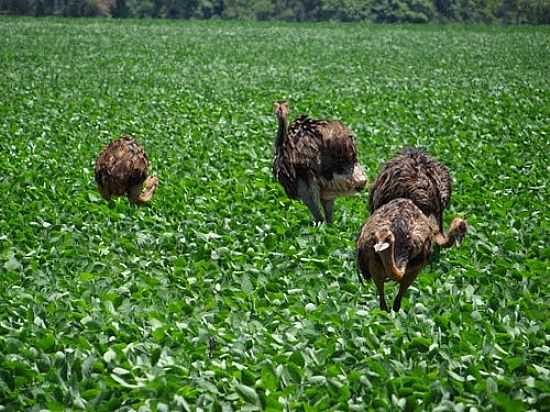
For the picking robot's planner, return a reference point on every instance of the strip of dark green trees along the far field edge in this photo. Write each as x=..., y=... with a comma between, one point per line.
x=382, y=11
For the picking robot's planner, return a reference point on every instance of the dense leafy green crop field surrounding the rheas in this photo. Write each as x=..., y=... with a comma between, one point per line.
x=221, y=295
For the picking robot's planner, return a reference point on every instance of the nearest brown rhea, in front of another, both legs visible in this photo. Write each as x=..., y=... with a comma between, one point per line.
x=396, y=243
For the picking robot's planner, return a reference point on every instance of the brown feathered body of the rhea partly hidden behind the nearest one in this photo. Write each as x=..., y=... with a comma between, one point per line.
x=414, y=175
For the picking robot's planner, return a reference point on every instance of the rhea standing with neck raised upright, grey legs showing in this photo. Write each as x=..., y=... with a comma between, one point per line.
x=316, y=161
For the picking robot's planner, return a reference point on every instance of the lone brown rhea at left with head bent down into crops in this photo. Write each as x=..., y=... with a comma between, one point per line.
x=121, y=169
